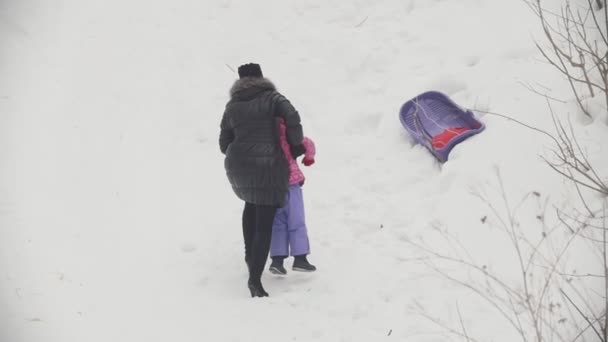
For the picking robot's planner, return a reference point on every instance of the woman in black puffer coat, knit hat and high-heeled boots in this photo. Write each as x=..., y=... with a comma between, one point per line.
x=255, y=164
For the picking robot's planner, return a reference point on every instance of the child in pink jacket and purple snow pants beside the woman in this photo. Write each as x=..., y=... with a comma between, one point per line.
x=289, y=235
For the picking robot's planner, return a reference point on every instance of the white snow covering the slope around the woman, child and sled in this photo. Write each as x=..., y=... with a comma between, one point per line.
x=117, y=222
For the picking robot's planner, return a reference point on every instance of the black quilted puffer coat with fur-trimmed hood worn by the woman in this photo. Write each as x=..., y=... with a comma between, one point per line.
x=249, y=137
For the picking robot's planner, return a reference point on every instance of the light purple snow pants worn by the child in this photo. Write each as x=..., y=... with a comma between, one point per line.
x=289, y=228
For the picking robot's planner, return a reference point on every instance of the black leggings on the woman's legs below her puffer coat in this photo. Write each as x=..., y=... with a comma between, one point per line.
x=257, y=231
